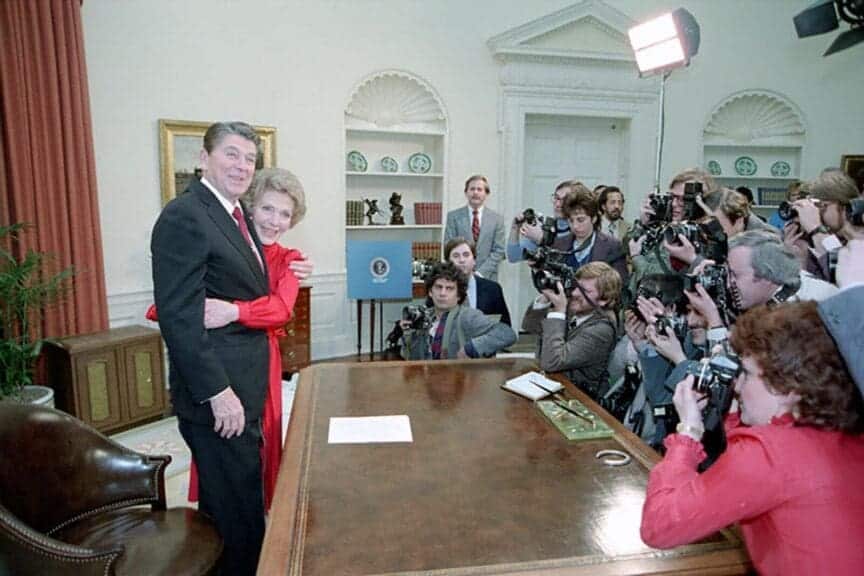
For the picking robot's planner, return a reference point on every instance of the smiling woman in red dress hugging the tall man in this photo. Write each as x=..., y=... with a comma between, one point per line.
x=276, y=202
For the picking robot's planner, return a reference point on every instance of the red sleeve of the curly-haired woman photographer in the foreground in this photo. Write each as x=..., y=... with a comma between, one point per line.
x=682, y=505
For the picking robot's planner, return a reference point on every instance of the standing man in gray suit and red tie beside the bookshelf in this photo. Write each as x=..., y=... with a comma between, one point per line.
x=480, y=224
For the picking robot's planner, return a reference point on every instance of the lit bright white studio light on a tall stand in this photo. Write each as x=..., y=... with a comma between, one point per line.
x=665, y=42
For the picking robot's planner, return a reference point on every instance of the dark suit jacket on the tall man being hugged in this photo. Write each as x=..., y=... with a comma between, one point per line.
x=199, y=252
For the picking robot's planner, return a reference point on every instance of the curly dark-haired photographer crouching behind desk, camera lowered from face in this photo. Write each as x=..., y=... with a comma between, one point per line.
x=451, y=330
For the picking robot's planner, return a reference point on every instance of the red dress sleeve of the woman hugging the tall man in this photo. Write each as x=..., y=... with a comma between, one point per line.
x=276, y=308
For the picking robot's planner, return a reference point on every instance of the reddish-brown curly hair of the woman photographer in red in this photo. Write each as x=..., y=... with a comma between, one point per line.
x=796, y=354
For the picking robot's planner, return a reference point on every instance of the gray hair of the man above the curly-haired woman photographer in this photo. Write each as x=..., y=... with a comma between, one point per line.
x=770, y=258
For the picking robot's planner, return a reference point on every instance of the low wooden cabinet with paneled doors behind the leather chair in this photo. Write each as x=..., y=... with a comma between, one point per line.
x=111, y=380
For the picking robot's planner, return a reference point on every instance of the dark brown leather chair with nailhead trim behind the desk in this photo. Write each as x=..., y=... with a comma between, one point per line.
x=72, y=501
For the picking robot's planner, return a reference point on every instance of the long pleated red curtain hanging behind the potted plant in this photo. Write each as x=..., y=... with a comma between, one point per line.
x=47, y=168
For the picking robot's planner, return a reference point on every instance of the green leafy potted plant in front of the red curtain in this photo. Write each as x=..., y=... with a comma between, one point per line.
x=27, y=287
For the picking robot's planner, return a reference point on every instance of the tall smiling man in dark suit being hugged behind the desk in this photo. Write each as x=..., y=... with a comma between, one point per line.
x=204, y=246
